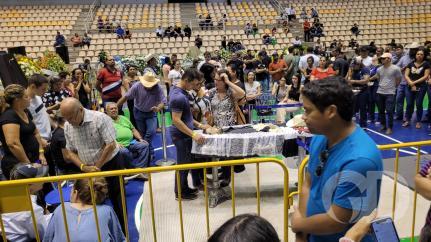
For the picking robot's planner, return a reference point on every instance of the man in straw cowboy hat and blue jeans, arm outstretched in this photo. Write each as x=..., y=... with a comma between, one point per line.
x=149, y=100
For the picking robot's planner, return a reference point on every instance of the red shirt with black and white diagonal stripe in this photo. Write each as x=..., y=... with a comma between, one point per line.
x=111, y=83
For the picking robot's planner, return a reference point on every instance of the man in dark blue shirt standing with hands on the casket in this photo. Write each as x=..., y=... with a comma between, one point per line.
x=182, y=128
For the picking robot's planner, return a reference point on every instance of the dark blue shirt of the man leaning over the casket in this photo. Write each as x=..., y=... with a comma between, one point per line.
x=179, y=102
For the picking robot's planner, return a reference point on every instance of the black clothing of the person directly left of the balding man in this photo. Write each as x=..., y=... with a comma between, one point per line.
x=58, y=142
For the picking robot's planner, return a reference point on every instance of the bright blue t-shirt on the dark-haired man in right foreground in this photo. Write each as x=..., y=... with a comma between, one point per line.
x=350, y=178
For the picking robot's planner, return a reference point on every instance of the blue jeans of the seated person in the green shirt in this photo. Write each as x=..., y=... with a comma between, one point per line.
x=137, y=154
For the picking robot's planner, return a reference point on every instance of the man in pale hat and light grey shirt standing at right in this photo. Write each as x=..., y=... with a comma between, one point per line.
x=389, y=77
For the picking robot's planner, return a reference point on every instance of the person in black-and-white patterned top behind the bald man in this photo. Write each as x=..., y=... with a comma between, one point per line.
x=55, y=95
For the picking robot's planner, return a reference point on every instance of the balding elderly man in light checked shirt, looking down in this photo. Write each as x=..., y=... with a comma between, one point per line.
x=91, y=145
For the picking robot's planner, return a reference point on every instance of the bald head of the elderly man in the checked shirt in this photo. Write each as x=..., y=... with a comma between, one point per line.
x=72, y=111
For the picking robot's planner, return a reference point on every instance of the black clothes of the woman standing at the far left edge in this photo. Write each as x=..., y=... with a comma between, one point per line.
x=26, y=136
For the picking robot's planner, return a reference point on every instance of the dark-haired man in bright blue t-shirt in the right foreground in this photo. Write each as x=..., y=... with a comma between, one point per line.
x=342, y=182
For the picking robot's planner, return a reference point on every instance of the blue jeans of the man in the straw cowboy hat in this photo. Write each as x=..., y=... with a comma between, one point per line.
x=147, y=125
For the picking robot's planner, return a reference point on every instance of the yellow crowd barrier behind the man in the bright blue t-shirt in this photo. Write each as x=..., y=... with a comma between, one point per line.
x=396, y=147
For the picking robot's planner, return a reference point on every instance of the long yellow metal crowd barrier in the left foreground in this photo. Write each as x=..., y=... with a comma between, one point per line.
x=15, y=195
